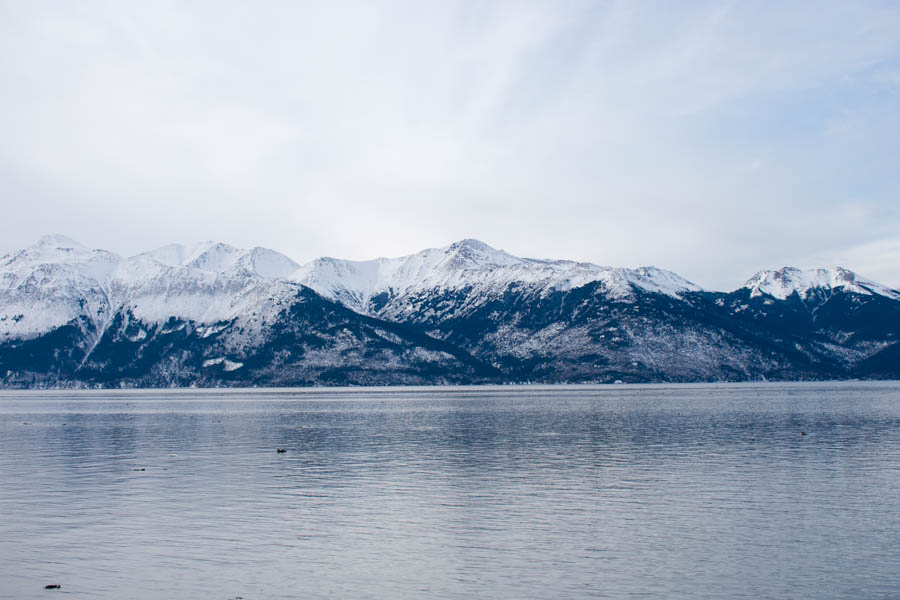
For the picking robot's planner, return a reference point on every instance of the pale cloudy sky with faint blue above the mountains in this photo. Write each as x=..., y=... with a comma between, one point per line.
x=714, y=139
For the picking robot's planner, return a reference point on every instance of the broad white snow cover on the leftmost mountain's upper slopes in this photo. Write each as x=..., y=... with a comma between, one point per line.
x=58, y=280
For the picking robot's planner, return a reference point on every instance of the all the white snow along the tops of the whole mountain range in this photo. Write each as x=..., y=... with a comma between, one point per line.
x=57, y=280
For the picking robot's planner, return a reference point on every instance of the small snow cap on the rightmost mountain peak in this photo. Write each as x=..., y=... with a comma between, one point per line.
x=784, y=282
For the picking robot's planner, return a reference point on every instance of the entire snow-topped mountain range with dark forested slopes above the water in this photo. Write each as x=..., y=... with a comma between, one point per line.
x=214, y=315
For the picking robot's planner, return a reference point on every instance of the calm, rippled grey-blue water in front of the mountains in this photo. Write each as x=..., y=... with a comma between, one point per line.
x=663, y=491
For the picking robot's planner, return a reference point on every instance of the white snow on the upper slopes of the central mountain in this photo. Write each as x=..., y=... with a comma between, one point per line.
x=473, y=265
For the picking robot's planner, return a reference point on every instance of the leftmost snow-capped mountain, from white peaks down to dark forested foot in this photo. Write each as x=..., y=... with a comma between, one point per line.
x=203, y=314
